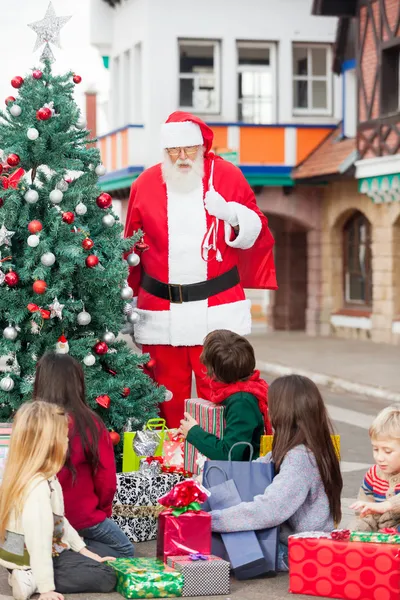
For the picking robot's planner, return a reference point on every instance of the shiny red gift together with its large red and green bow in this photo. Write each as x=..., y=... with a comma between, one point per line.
x=184, y=528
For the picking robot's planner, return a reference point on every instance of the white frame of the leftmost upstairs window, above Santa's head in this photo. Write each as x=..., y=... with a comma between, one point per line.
x=216, y=44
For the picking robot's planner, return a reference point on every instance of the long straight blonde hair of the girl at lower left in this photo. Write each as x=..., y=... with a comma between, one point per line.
x=37, y=447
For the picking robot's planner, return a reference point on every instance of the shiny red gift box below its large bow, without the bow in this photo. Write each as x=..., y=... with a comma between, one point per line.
x=190, y=533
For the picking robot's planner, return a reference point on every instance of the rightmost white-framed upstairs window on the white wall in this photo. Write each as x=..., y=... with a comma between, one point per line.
x=312, y=80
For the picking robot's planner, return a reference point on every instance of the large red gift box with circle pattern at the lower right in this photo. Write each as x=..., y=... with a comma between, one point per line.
x=344, y=569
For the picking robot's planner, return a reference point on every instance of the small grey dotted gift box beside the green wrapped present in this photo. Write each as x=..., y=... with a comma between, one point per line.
x=203, y=575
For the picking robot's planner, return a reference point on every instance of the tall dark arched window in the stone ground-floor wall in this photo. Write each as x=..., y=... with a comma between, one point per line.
x=357, y=260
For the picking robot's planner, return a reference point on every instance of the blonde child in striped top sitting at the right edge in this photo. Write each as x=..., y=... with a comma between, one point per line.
x=378, y=504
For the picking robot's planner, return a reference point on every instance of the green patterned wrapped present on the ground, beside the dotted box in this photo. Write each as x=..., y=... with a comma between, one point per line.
x=146, y=578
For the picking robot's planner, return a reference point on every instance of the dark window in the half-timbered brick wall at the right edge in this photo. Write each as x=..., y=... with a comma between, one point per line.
x=390, y=88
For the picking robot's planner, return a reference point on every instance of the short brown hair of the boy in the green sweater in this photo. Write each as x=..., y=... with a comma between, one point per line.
x=227, y=356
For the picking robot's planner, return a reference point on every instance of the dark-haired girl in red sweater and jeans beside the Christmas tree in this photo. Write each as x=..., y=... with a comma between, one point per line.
x=88, y=479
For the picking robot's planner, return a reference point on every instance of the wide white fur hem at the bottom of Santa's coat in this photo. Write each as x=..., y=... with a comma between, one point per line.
x=176, y=327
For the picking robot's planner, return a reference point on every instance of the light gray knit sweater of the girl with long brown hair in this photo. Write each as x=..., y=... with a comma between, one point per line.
x=296, y=500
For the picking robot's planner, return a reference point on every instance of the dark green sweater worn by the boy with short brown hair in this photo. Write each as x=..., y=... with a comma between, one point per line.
x=243, y=423
